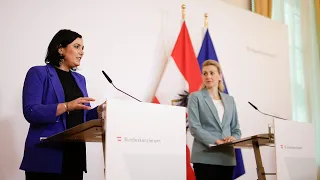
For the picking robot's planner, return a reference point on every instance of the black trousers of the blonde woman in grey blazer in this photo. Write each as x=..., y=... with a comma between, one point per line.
x=212, y=172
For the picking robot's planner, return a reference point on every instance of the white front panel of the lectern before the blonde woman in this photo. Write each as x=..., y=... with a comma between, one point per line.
x=295, y=150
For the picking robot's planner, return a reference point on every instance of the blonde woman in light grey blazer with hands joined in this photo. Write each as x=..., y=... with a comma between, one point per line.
x=213, y=120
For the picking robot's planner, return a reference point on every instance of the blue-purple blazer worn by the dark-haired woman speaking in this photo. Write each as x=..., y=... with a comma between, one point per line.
x=42, y=91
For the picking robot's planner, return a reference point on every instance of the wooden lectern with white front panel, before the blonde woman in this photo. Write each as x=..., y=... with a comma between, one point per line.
x=294, y=148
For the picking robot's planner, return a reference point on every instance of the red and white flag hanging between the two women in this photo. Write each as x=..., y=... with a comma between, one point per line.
x=181, y=74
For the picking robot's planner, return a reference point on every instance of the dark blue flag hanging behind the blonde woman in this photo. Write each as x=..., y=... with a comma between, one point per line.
x=207, y=51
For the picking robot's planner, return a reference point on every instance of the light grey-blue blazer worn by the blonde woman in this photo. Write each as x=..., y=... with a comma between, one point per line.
x=206, y=128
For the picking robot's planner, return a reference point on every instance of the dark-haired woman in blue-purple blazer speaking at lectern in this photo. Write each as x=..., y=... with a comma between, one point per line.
x=55, y=98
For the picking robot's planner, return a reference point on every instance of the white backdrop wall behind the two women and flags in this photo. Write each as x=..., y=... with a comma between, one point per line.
x=131, y=40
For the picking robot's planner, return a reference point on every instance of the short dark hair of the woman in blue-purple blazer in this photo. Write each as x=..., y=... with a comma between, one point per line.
x=61, y=39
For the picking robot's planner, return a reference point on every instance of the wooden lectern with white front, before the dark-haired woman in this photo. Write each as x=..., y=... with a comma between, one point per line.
x=141, y=138
